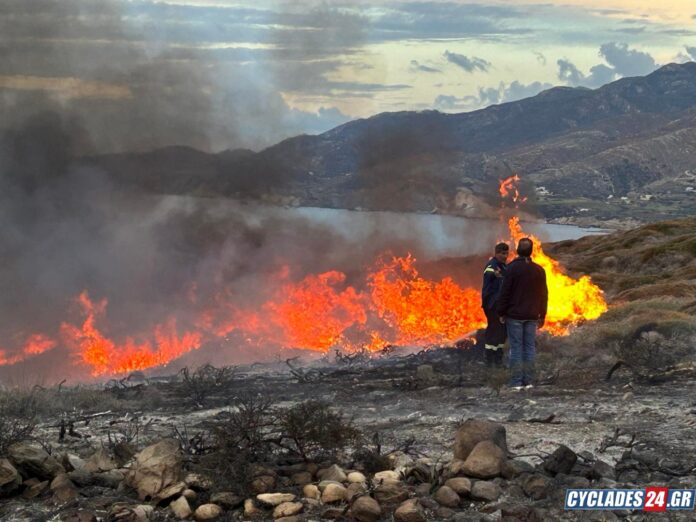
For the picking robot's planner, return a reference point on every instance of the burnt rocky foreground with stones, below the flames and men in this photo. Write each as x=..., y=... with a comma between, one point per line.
x=441, y=439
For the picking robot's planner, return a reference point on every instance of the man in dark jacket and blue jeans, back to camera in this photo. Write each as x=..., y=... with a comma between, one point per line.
x=522, y=307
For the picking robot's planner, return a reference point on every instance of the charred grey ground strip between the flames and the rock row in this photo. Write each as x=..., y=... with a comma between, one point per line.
x=417, y=400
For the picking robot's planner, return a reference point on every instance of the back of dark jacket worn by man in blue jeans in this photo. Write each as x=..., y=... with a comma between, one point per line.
x=524, y=295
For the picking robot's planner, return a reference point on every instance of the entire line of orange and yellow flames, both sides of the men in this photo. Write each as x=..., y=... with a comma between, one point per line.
x=390, y=304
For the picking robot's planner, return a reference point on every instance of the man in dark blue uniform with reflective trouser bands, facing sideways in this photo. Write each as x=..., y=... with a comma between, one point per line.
x=492, y=283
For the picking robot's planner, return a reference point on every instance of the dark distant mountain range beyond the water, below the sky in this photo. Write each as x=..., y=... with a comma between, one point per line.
x=625, y=150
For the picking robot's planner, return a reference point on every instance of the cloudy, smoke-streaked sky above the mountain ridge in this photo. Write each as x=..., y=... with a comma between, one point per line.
x=219, y=74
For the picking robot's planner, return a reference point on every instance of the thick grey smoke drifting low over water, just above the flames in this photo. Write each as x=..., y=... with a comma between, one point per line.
x=69, y=229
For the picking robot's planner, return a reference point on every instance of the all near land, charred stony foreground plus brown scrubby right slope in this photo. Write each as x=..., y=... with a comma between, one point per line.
x=402, y=434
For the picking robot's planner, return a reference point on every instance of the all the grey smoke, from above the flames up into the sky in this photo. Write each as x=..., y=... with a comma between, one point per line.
x=67, y=229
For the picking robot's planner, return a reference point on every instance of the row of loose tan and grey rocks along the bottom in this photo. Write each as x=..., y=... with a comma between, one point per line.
x=480, y=483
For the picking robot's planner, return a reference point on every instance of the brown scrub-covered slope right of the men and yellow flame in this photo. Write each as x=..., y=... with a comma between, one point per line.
x=649, y=278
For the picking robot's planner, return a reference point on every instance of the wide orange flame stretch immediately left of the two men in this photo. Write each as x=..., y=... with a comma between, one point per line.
x=320, y=311
